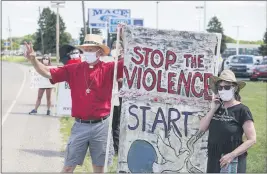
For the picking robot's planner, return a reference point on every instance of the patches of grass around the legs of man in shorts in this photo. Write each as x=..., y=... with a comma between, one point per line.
x=66, y=124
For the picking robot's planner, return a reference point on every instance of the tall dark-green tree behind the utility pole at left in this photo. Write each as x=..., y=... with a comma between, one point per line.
x=47, y=28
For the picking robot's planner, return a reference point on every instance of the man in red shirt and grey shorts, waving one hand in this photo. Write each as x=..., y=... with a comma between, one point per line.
x=91, y=85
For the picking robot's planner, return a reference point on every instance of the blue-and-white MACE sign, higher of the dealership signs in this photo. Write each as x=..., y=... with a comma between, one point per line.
x=99, y=17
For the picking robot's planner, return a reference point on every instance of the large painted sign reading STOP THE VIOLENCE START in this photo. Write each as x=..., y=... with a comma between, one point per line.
x=165, y=93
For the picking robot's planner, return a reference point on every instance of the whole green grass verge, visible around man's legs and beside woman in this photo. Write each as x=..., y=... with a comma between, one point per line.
x=253, y=95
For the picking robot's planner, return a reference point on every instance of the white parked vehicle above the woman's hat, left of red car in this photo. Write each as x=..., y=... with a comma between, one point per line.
x=242, y=65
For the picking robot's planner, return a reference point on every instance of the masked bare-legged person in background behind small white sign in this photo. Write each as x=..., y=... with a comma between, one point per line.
x=46, y=60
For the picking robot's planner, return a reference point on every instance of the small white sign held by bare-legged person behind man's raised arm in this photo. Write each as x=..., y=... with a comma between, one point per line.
x=38, y=81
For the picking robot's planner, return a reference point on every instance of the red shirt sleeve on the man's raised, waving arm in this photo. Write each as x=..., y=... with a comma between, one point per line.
x=60, y=74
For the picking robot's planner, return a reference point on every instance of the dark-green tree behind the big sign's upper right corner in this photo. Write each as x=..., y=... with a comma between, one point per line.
x=215, y=26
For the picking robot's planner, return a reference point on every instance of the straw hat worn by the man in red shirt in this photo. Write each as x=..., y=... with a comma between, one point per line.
x=94, y=40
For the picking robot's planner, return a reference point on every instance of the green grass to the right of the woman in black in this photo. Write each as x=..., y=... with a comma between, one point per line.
x=254, y=96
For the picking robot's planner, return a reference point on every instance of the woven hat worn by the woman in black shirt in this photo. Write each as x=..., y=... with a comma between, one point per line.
x=226, y=75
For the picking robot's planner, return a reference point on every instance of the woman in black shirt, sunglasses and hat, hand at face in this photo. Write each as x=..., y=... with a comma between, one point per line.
x=227, y=121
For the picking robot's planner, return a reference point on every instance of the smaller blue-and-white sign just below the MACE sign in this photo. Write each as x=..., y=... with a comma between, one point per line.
x=113, y=23
